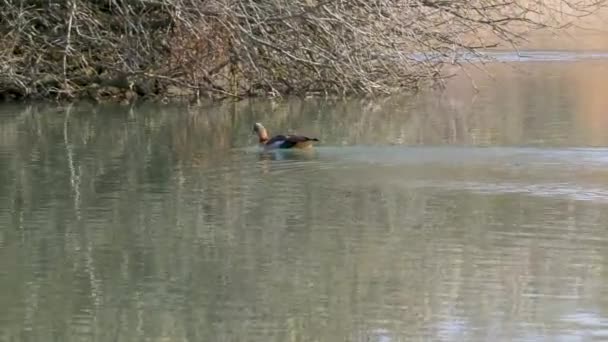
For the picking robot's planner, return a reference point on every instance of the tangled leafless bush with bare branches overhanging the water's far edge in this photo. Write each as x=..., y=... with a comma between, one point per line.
x=233, y=48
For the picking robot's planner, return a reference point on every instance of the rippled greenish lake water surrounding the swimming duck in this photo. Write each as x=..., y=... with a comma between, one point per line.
x=455, y=215
